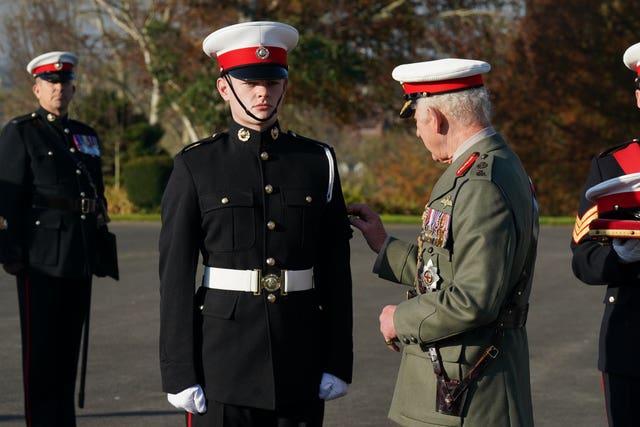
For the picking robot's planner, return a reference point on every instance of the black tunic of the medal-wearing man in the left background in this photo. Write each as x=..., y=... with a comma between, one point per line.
x=41, y=184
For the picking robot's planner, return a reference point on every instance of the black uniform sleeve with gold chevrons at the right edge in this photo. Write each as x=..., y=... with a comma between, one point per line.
x=595, y=262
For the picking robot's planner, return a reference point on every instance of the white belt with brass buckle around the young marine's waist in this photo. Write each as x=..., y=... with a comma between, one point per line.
x=253, y=280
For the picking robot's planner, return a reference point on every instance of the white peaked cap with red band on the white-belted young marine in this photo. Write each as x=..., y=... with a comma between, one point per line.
x=252, y=50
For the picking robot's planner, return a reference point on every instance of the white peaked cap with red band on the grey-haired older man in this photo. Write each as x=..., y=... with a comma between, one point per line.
x=428, y=78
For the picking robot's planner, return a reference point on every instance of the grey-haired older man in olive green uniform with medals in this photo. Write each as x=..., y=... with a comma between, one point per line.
x=465, y=359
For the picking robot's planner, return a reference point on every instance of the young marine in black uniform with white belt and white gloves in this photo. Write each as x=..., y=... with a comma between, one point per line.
x=268, y=336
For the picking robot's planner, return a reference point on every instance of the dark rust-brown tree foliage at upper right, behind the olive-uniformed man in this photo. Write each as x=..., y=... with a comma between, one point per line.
x=564, y=94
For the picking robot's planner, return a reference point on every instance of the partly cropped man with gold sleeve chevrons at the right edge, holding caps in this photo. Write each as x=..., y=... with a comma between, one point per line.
x=614, y=263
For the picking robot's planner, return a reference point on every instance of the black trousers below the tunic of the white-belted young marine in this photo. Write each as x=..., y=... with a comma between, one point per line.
x=221, y=415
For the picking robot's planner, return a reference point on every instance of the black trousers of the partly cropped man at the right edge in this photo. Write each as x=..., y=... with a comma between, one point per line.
x=622, y=394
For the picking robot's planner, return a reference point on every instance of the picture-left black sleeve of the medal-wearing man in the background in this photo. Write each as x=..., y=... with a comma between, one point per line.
x=14, y=184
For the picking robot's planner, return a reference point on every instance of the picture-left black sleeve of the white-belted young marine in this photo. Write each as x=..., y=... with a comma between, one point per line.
x=178, y=246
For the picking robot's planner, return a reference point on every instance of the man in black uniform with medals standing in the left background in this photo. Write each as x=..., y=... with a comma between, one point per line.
x=51, y=210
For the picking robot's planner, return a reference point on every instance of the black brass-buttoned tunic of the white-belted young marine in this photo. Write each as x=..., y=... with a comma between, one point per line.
x=236, y=204
